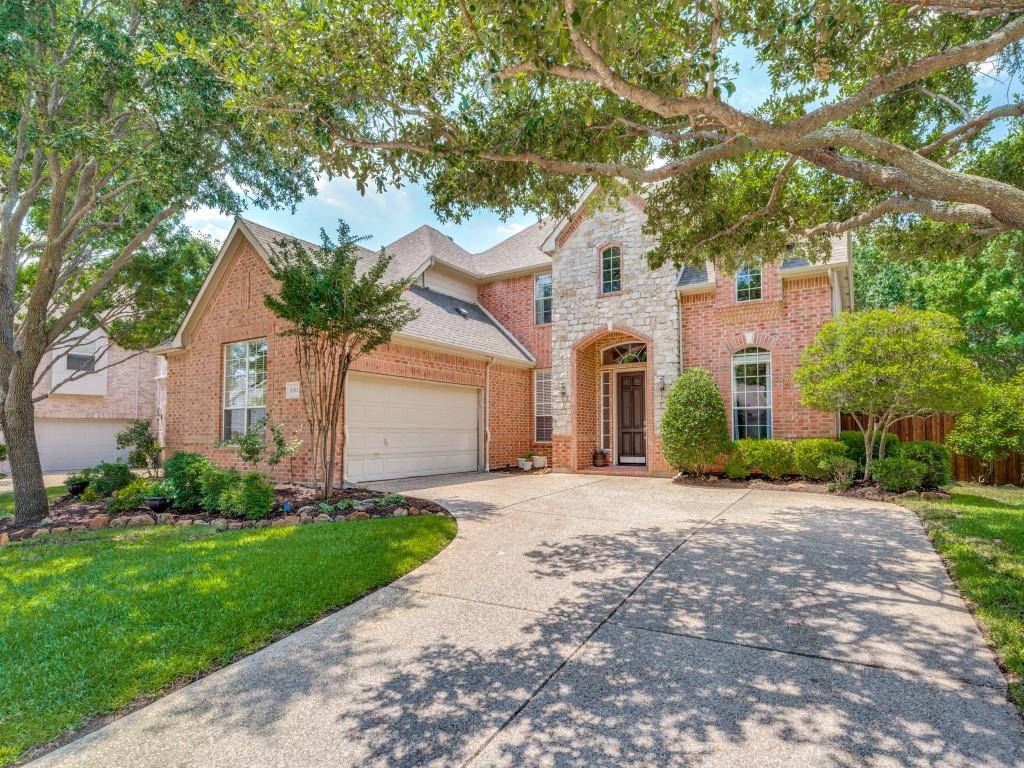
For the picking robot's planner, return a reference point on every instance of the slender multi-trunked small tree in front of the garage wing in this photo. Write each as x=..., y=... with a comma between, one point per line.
x=338, y=308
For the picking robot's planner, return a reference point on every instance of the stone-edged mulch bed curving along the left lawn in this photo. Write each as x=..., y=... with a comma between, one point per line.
x=295, y=505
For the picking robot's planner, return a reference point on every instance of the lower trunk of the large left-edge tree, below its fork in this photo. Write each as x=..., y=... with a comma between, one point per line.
x=20, y=432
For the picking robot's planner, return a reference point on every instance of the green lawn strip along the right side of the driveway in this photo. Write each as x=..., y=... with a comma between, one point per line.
x=980, y=532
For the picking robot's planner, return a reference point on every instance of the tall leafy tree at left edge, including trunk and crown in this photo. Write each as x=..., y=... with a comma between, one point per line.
x=103, y=146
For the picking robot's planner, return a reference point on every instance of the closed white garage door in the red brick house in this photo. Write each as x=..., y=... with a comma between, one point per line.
x=407, y=429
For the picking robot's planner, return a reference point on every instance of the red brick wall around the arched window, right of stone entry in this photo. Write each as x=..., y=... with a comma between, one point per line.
x=784, y=322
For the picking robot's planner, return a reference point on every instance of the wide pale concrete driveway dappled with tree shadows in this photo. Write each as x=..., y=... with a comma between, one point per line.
x=613, y=621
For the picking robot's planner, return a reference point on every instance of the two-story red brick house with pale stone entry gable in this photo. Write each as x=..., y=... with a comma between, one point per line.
x=560, y=340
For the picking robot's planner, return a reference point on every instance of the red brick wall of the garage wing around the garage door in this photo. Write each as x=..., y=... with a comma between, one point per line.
x=236, y=313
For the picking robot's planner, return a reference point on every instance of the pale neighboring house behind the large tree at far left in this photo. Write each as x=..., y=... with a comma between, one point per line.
x=93, y=393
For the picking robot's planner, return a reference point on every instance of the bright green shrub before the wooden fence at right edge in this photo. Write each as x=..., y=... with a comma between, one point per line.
x=995, y=429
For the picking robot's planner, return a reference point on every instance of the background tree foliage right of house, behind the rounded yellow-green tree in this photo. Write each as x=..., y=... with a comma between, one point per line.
x=986, y=291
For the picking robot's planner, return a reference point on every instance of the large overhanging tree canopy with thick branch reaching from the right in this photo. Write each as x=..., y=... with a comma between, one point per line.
x=873, y=113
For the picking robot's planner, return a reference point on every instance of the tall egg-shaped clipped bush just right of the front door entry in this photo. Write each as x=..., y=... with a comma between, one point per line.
x=695, y=431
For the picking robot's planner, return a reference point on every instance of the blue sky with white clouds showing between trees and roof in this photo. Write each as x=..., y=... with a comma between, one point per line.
x=386, y=218
